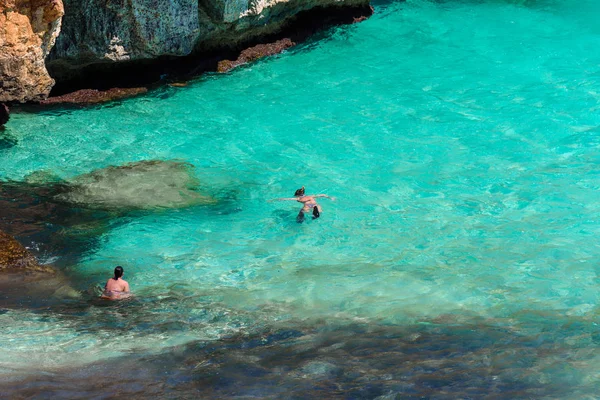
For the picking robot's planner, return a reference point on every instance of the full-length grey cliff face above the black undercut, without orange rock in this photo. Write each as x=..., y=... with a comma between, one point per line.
x=122, y=30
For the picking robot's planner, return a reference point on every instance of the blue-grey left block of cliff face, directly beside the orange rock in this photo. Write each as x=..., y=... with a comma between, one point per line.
x=120, y=30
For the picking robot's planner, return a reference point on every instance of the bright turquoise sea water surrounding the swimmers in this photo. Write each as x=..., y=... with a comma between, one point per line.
x=461, y=141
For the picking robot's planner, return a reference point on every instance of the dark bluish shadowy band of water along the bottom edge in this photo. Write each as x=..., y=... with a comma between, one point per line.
x=432, y=359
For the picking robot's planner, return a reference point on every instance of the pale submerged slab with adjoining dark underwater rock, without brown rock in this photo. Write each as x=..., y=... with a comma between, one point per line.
x=66, y=218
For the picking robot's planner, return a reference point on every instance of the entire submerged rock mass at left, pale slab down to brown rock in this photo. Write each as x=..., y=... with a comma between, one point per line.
x=66, y=218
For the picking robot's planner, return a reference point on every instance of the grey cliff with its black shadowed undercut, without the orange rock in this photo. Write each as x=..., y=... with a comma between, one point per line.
x=108, y=39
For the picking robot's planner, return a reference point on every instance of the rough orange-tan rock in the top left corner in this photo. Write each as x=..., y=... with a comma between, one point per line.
x=28, y=29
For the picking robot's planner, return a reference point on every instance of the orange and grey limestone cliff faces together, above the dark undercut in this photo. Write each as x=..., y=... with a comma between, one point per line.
x=104, y=33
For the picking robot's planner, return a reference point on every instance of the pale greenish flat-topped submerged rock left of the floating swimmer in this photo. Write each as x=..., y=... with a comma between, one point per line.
x=139, y=185
